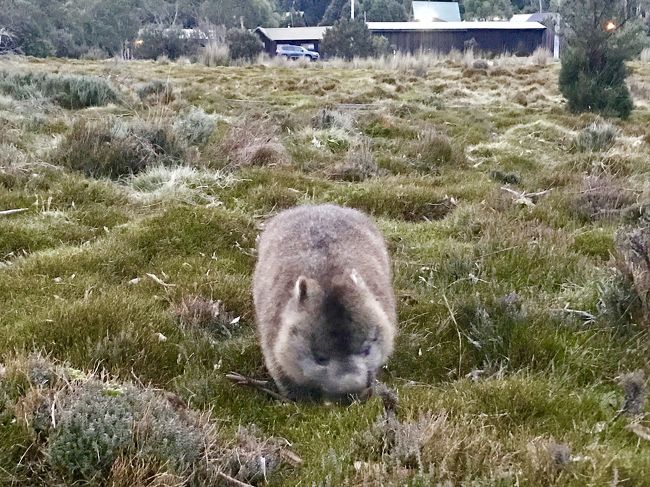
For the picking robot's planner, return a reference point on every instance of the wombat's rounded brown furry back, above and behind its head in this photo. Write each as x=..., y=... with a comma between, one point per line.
x=319, y=242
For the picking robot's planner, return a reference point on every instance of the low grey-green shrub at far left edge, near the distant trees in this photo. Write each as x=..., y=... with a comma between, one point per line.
x=69, y=91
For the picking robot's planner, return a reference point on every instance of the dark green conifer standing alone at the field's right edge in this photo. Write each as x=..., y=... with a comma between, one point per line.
x=601, y=35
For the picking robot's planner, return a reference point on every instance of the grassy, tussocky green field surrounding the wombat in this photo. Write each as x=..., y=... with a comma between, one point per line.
x=125, y=276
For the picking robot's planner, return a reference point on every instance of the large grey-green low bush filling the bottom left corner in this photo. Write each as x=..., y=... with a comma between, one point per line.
x=84, y=428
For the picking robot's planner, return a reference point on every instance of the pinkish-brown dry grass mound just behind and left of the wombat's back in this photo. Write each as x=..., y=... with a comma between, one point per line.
x=254, y=141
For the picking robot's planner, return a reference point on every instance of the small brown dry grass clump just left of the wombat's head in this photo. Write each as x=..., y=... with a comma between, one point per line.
x=199, y=313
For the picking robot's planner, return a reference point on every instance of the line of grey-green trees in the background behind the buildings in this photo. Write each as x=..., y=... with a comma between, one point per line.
x=74, y=28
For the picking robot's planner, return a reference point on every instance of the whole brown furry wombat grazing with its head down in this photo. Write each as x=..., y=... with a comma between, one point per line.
x=324, y=301
